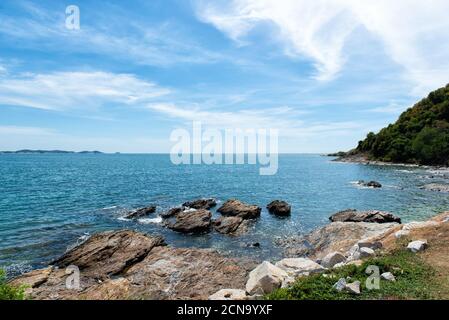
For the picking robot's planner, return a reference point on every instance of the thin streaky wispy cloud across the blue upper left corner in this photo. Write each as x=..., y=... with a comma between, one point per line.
x=162, y=44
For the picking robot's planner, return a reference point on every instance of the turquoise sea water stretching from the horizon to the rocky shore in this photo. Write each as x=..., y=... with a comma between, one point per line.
x=48, y=202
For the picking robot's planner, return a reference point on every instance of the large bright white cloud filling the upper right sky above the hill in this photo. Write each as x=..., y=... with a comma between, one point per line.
x=414, y=33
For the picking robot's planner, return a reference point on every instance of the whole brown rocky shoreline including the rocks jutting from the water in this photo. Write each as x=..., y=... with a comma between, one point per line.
x=126, y=264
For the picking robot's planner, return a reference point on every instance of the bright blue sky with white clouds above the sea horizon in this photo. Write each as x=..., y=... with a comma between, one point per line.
x=323, y=73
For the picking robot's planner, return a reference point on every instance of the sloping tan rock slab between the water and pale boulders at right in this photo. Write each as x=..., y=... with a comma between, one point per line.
x=336, y=236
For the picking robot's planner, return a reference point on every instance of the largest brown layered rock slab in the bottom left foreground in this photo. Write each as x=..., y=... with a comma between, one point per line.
x=129, y=265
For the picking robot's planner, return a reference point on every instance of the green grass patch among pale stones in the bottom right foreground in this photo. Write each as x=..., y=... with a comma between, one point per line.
x=414, y=280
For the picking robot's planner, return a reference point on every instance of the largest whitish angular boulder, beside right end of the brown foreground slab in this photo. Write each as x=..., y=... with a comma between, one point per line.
x=265, y=279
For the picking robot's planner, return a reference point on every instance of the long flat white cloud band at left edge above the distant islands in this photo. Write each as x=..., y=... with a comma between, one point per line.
x=71, y=90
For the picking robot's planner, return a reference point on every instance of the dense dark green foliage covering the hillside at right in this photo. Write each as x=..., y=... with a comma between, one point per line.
x=421, y=134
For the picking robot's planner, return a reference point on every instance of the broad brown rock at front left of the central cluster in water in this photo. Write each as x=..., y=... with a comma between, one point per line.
x=192, y=221
